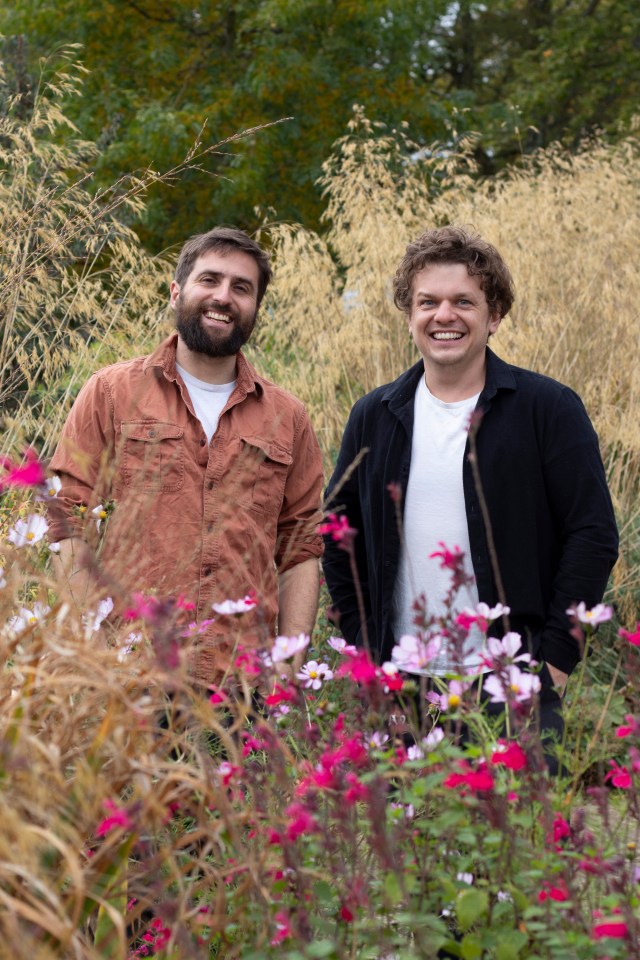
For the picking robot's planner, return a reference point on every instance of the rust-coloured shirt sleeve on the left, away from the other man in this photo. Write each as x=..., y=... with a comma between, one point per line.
x=81, y=459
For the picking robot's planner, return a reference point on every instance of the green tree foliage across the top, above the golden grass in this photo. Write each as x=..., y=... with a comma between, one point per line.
x=522, y=72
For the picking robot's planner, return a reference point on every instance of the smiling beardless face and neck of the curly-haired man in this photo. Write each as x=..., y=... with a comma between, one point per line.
x=450, y=321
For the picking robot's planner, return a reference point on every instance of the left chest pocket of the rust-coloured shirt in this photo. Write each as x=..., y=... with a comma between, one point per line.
x=153, y=455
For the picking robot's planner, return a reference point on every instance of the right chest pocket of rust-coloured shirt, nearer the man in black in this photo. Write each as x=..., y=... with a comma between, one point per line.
x=262, y=474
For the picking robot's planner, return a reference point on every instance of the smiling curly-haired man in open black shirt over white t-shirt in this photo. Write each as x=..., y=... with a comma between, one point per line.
x=475, y=457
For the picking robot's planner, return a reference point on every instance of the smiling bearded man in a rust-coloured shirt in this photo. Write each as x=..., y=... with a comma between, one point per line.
x=214, y=473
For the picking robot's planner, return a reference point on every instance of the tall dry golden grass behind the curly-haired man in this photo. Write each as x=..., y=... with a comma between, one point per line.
x=567, y=227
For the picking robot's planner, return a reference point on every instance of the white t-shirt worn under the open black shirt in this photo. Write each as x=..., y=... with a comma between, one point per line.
x=434, y=512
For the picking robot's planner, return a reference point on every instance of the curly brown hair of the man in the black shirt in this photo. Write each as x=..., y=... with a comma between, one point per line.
x=456, y=245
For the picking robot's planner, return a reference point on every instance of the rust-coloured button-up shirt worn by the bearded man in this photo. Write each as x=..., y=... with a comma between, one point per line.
x=210, y=521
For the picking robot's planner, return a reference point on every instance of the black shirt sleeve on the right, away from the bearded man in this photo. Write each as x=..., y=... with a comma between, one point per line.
x=585, y=519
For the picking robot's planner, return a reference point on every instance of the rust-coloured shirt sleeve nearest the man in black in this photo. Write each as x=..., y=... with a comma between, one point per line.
x=298, y=537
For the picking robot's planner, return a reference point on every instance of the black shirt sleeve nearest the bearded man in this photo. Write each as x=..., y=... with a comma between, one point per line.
x=342, y=497
